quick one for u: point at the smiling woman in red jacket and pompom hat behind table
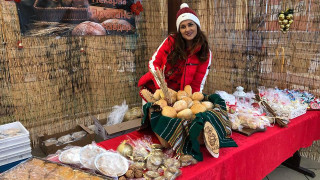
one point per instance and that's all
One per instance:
(184, 56)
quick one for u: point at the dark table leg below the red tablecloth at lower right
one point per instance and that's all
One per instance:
(294, 164)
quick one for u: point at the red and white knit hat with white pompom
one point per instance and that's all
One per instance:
(185, 13)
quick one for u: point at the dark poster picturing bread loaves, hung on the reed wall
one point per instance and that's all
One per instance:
(78, 17)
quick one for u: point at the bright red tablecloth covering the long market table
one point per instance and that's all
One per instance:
(256, 156)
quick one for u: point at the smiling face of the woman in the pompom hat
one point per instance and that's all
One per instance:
(188, 29)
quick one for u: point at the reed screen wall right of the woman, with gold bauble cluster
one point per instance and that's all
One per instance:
(245, 38)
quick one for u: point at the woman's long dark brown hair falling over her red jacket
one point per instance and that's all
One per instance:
(180, 45)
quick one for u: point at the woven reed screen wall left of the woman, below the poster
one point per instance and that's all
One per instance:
(50, 85)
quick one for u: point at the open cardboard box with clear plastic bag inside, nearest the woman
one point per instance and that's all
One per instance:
(108, 132)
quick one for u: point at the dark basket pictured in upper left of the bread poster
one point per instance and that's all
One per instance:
(61, 14)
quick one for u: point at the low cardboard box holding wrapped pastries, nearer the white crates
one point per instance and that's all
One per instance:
(52, 148)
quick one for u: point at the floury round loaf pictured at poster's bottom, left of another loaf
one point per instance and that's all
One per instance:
(88, 28)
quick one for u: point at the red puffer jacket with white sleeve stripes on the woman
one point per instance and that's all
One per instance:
(194, 72)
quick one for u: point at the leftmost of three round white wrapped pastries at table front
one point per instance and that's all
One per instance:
(70, 156)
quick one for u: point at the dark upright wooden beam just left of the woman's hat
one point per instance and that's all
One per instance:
(173, 8)
